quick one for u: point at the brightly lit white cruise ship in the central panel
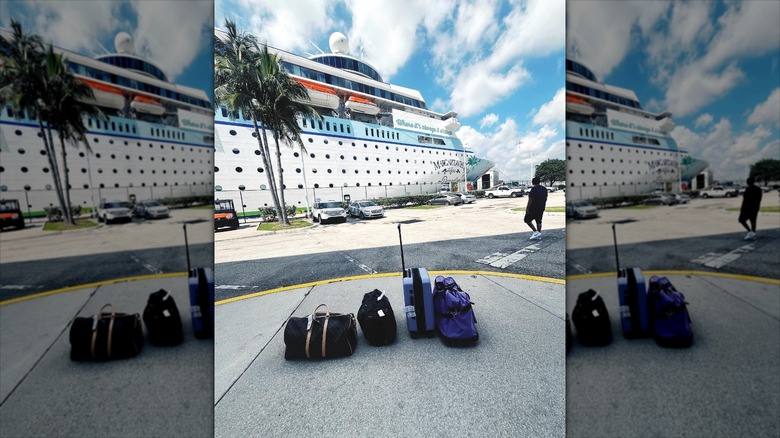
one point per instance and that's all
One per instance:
(375, 140)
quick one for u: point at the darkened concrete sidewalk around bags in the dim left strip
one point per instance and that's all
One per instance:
(164, 391)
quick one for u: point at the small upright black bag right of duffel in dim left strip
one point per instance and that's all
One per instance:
(162, 319)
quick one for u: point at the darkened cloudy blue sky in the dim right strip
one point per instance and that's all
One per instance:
(714, 65)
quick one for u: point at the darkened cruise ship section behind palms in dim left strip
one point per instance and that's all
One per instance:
(156, 141)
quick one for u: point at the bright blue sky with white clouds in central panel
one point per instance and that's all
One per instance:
(498, 64)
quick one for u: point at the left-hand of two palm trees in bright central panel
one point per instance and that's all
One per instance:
(237, 86)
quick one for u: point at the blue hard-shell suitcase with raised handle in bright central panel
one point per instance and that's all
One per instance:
(418, 298)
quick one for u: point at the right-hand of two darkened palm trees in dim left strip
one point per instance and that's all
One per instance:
(65, 110)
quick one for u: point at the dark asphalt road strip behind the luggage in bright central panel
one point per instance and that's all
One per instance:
(511, 253)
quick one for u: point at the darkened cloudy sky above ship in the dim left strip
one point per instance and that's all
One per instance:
(184, 49)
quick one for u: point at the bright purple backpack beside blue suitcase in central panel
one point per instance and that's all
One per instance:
(454, 313)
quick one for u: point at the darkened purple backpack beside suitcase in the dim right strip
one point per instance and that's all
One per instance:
(671, 323)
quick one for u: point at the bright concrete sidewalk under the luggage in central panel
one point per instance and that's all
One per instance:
(512, 383)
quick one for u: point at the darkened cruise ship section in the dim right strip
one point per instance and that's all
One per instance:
(614, 147)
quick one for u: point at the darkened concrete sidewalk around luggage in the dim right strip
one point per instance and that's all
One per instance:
(726, 384)
